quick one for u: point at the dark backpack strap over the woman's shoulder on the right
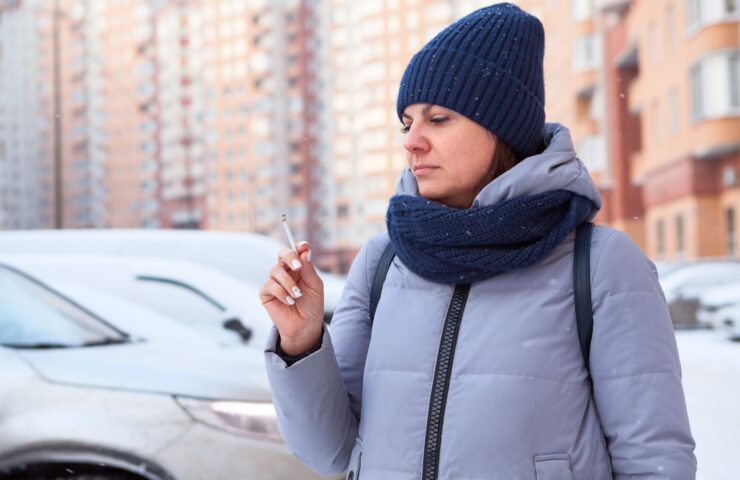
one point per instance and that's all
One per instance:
(582, 287)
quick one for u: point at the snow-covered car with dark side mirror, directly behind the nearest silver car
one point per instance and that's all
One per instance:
(200, 297)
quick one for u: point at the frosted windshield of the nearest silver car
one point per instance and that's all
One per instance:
(33, 316)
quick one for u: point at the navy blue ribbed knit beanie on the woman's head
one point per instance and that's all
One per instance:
(486, 66)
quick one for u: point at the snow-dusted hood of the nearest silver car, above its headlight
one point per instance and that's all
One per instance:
(152, 367)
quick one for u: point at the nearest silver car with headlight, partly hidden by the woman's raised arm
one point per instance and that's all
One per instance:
(96, 387)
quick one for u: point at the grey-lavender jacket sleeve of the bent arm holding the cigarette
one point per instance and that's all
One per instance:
(318, 398)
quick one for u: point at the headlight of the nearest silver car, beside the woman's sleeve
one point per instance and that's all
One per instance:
(253, 419)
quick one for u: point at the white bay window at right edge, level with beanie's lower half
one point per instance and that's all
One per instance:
(715, 85)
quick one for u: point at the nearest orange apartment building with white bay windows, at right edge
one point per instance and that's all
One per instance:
(687, 94)
